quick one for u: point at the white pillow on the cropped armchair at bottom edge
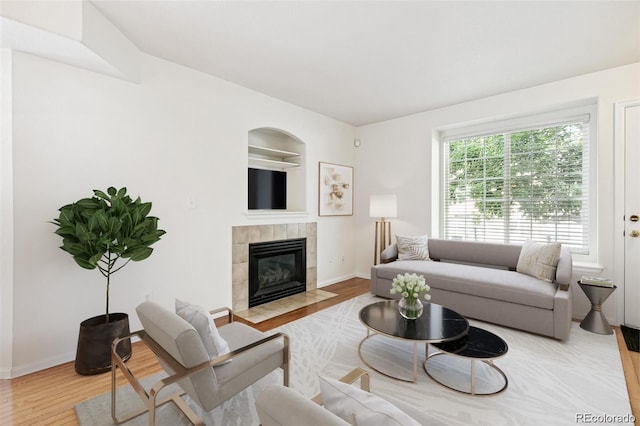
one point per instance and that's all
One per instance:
(360, 408)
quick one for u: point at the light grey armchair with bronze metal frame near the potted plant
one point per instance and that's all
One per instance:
(180, 350)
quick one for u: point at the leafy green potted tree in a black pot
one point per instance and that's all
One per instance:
(105, 232)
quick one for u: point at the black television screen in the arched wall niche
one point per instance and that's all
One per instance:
(267, 189)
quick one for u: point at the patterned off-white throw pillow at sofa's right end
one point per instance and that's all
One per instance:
(539, 260)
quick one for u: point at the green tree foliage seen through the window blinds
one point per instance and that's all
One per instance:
(535, 173)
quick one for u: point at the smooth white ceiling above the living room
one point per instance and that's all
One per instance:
(362, 61)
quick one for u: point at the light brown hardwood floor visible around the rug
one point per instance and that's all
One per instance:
(48, 396)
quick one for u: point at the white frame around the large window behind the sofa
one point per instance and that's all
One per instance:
(548, 118)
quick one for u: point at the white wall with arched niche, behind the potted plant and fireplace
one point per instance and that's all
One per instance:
(178, 133)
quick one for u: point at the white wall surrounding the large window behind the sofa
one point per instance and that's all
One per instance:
(397, 156)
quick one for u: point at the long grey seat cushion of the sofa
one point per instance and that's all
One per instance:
(499, 284)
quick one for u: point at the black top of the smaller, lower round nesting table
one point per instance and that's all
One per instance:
(478, 343)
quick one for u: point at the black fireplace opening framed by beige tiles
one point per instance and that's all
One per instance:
(277, 269)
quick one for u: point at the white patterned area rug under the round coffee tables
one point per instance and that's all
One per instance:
(550, 382)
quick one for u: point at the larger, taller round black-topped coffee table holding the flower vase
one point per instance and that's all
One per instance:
(436, 324)
